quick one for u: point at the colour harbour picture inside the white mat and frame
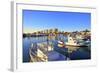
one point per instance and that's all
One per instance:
(56, 36)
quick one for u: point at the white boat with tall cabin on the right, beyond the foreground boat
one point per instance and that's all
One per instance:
(76, 42)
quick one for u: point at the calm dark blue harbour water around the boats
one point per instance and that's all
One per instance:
(73, 53)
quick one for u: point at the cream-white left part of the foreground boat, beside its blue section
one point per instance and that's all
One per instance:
(38, 52)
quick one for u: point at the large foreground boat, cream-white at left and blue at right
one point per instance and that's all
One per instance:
(42, 52)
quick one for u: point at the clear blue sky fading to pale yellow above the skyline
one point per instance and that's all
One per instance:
(35, 20)
